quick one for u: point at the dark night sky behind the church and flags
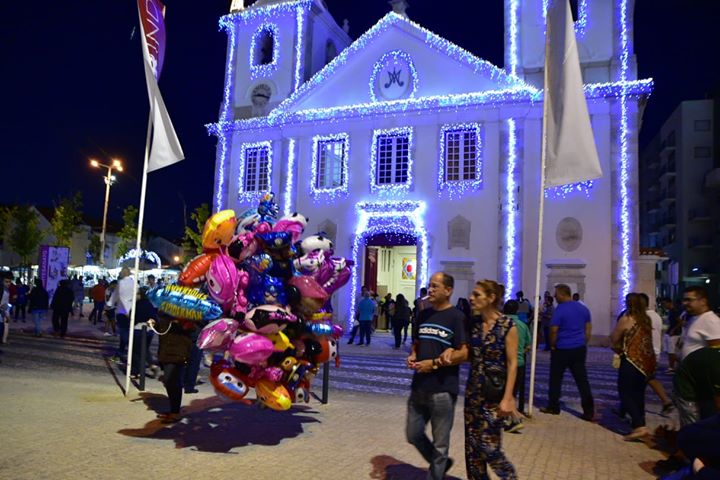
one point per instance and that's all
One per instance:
(73, 88)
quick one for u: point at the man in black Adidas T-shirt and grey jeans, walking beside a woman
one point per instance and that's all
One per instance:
(434, 388)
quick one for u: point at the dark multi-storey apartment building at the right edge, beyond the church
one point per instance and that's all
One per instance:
(679, 199)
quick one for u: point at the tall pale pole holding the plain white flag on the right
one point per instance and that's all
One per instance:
(538, 266)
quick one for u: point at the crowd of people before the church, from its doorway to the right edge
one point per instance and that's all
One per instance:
(494, 338)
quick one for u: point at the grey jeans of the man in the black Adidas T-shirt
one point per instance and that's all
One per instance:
(439, 410)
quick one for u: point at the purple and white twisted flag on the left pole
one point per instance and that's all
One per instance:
(166, 148)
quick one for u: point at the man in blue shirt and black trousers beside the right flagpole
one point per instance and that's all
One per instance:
(570, 330)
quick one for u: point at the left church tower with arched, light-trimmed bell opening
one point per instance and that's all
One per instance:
(273, 48)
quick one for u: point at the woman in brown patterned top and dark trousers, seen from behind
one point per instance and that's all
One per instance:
(632, 340)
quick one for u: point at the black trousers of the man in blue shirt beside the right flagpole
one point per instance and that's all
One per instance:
(574, 359)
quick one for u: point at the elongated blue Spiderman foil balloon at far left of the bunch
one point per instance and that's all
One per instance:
(184, 303)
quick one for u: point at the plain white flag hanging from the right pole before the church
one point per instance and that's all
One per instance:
(571, 155)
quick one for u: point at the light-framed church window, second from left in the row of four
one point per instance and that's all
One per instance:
(330, 155)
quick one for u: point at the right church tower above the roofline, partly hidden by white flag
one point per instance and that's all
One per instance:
(600, 27)
